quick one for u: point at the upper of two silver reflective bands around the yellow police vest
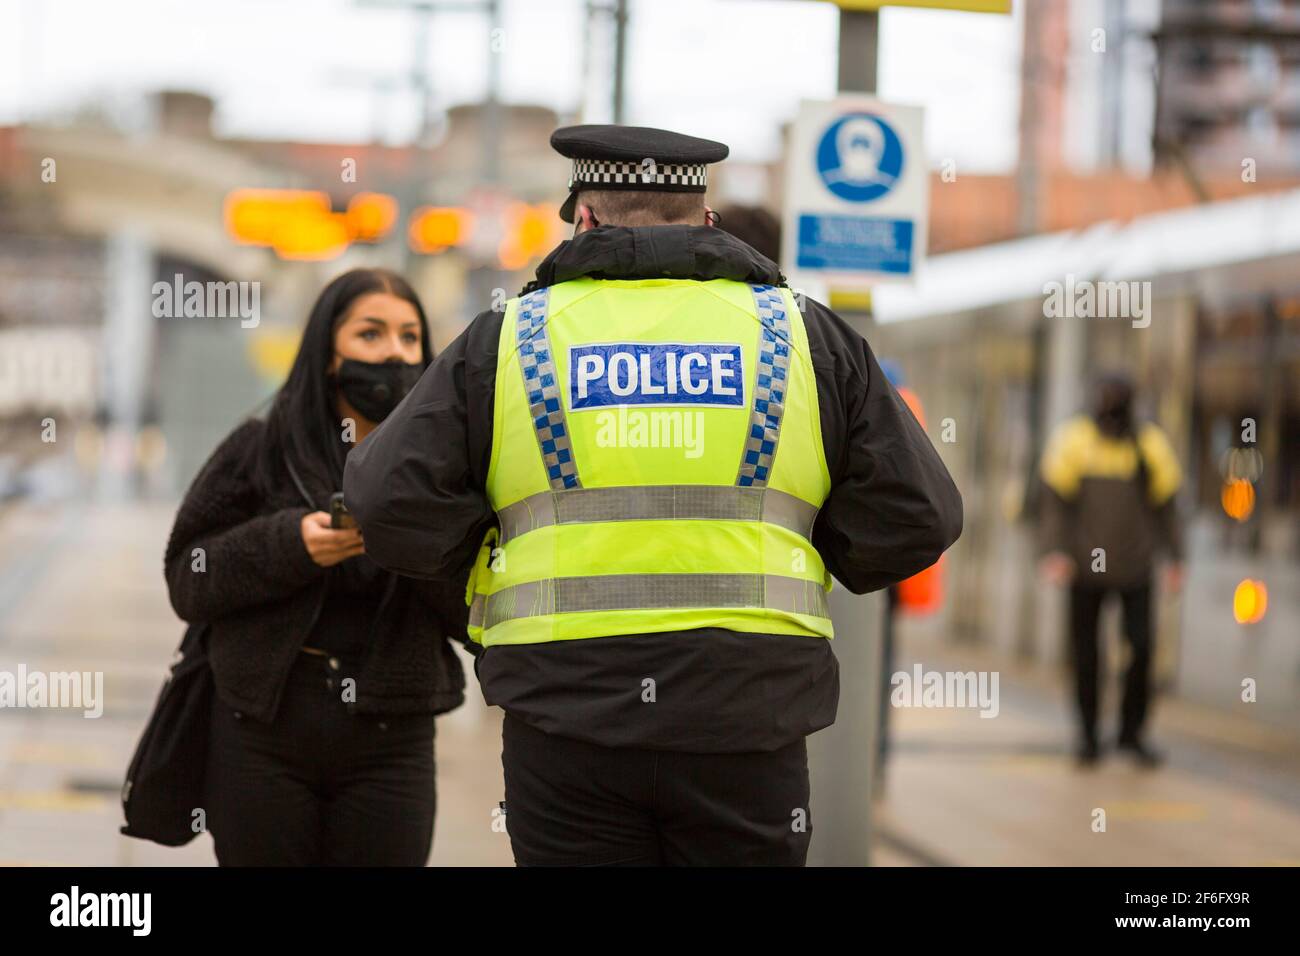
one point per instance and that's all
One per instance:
(657, 503)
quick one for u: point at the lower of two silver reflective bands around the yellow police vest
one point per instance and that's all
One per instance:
(656, 592)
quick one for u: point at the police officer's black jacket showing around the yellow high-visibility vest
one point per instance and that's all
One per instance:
(417, 487)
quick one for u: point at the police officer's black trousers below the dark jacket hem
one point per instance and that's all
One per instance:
(577, 804)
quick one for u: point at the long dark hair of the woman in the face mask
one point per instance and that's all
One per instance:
(304, 425)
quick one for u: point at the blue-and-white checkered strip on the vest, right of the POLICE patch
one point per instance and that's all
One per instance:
(770, 384)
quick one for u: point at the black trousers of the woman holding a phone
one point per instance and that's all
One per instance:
(320, 786)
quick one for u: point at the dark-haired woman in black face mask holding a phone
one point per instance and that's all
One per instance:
(328, 671)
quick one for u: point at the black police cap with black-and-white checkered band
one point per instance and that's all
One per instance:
(636, 158)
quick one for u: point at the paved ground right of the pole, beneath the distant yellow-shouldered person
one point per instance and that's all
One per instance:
(964, 790)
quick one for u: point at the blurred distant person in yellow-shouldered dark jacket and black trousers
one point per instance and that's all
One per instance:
(1108, 512)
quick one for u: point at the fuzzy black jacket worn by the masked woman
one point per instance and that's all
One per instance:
(262, 594)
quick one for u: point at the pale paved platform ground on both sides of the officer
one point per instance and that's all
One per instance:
(81, 589)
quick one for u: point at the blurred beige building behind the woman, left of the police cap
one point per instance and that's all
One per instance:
(96, 213)
